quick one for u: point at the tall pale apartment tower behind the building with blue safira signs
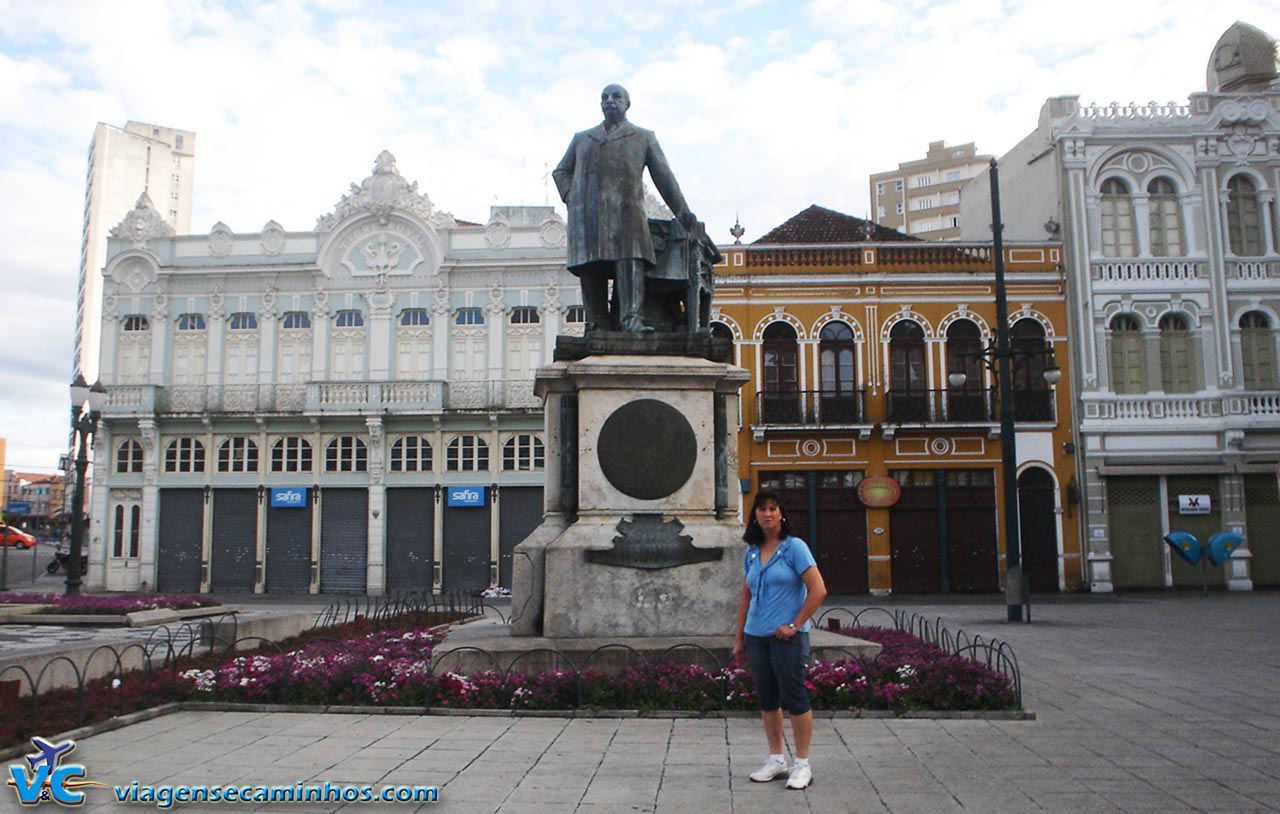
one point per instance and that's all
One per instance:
(125, 164)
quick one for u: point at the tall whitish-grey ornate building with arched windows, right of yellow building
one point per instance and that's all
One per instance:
(1168, 217)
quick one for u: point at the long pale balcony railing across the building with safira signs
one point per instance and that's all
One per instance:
(322, 397)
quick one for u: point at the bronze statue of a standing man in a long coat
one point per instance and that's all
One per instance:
(602, 181)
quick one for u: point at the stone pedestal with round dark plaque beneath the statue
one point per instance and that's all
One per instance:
(642, 536)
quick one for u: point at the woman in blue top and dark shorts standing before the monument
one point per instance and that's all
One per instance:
(781, 589)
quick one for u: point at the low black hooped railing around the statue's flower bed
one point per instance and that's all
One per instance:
(103, 687)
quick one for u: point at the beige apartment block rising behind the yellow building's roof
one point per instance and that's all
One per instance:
(922, 198)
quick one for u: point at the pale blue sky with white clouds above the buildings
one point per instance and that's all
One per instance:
(764, 108)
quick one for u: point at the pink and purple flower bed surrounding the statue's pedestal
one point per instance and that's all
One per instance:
(392, 669)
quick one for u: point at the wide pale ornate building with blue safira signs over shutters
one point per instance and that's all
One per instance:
(344, 410)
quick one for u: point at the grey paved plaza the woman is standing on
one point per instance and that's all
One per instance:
(1145, 703)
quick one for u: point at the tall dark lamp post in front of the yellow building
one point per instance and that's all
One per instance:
(1004, 362)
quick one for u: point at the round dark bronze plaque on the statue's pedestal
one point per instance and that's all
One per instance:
(647, 450)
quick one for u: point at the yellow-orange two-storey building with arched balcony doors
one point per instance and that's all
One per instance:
(851, 333)
